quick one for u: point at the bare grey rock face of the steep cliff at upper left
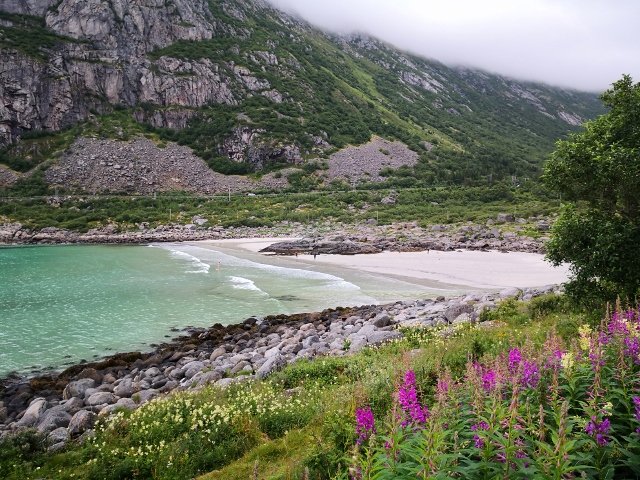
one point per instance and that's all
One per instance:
(108, 60)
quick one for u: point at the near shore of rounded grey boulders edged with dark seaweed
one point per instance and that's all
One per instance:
(64, 406)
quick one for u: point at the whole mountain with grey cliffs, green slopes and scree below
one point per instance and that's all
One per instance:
(249, 88)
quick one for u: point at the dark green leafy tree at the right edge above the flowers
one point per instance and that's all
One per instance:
(598, 172)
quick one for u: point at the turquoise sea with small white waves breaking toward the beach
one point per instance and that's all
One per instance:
(63, 304)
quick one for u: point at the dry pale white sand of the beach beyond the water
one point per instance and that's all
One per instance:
(484, 270)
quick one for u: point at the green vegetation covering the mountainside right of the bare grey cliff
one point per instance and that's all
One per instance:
(344, 99)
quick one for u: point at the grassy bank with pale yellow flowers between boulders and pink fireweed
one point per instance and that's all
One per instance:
(280, 433)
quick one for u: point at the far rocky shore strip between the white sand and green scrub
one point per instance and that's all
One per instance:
(504, 234)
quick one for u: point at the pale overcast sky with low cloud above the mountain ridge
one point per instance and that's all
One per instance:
(583, 44)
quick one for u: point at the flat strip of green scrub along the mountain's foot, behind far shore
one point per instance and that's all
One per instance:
(428, 206)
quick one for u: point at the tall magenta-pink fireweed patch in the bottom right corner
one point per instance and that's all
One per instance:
(543, 411)
